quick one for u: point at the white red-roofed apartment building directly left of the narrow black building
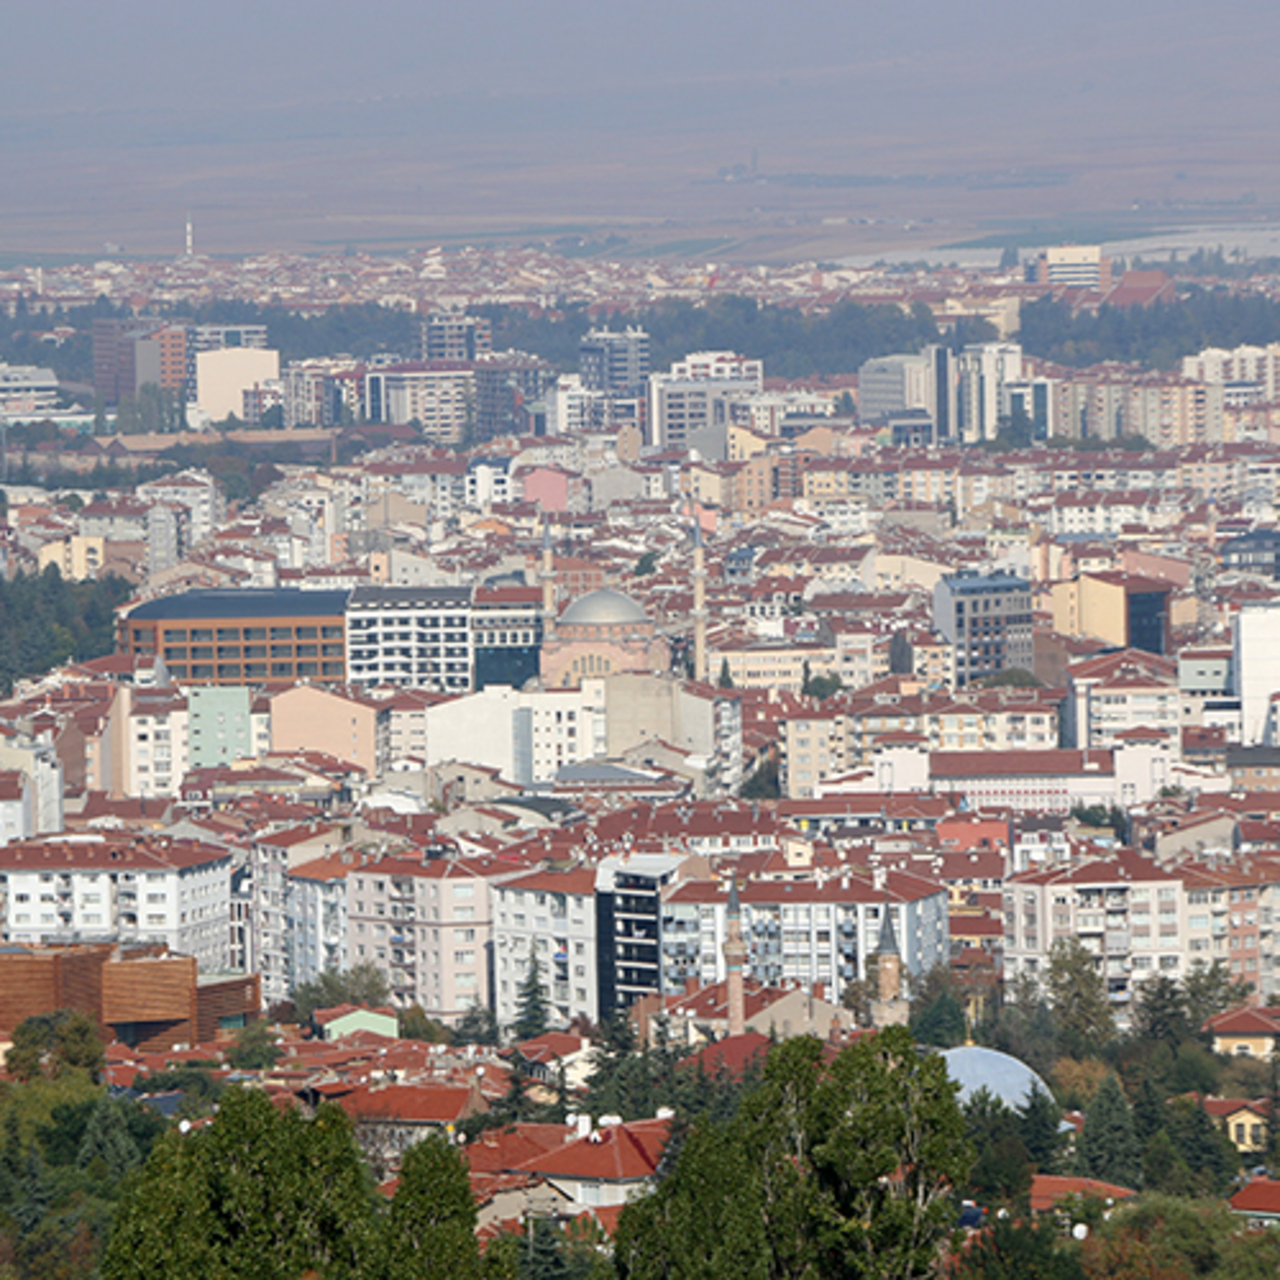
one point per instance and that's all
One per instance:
(550, 916)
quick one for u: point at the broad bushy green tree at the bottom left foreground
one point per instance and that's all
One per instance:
(257, 1195)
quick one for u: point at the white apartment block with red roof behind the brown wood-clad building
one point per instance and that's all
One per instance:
(97, 888)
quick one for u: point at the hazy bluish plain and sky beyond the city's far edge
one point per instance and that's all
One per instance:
(824, 131)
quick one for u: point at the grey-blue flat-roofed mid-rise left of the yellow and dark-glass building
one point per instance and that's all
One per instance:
(988, 618)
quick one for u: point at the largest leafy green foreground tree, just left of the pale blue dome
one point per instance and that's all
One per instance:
(828, 1171)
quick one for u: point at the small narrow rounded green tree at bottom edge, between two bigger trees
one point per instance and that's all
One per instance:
(432, 1226)
